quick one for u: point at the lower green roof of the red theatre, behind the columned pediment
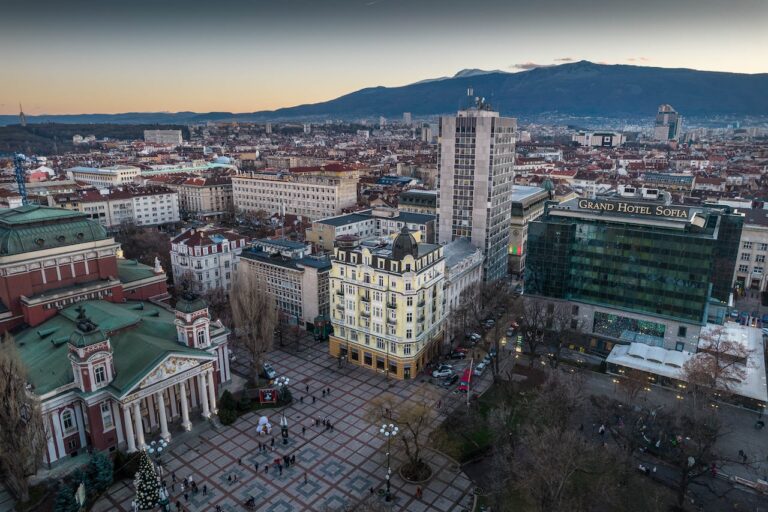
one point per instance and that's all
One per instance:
(142, 335)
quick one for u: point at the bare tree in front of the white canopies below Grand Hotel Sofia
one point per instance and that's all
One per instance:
(718, 366)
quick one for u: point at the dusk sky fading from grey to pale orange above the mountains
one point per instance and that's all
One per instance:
(109, 56)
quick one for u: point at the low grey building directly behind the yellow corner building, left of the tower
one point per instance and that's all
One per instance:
(373, 223)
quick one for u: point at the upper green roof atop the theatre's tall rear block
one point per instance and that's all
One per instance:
(35, 228)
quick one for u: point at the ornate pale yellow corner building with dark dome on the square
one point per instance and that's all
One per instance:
(387, 304)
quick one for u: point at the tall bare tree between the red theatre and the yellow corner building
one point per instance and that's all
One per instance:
(254, 313)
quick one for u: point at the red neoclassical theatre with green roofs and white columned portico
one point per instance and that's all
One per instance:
(113, 365)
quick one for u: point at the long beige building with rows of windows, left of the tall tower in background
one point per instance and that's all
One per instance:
(315, 194)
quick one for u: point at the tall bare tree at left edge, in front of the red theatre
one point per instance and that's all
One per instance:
(22, 434)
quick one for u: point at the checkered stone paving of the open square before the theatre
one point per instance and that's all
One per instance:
(334, 470)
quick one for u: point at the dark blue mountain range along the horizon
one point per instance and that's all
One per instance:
(578, 90)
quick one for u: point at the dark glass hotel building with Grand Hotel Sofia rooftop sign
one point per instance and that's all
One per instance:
(635, 270)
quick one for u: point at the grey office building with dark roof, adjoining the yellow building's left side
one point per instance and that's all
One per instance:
(298, 281)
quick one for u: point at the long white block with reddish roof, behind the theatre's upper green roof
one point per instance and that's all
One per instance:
(142, 206)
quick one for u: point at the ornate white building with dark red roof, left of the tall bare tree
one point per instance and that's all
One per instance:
(210, 255)
